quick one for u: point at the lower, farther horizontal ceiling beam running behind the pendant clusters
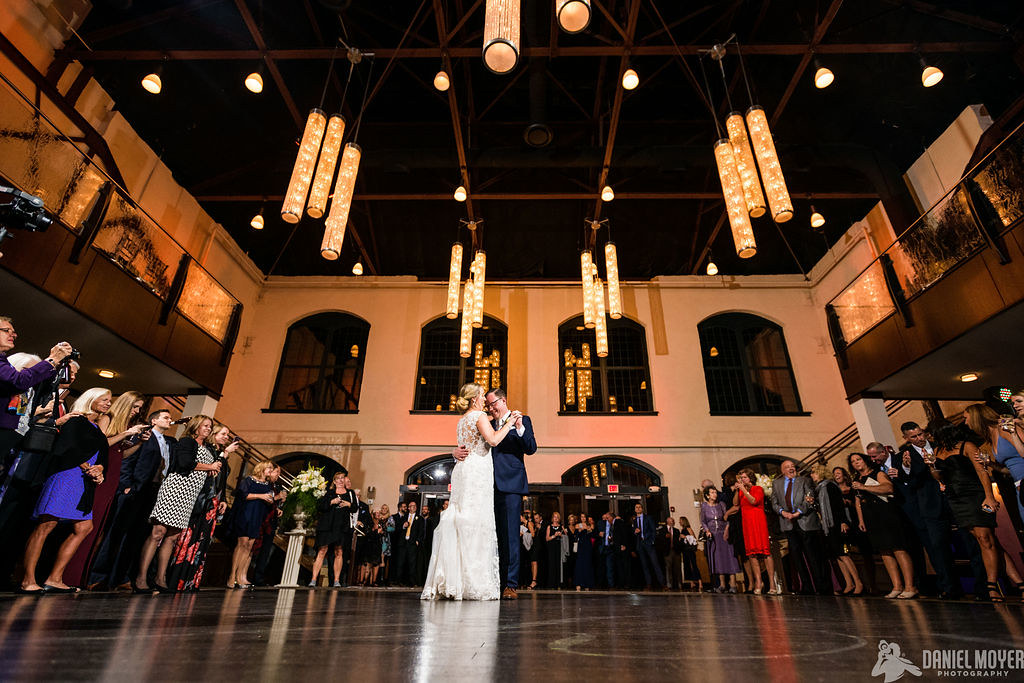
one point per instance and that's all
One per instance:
(442, 197)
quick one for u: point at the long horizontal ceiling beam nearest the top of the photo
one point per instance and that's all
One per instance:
(781, 50)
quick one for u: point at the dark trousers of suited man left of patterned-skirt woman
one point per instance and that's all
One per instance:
(130, 527)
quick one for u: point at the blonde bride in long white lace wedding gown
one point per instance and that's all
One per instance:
(464, 558)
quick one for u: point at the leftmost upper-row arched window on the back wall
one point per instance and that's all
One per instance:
(322, 365)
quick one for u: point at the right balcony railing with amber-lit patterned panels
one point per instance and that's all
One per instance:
(973, 216)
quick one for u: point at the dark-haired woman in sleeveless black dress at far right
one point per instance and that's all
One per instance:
(958, 464)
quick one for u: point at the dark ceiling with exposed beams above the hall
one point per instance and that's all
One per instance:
(841, 146)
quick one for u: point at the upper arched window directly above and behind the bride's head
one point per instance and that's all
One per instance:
(443, 371)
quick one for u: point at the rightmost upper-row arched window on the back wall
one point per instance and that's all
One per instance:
(747, 367)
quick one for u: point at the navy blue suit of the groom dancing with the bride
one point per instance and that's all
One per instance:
(510, 487)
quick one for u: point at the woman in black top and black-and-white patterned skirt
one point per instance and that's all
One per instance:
(191, 464)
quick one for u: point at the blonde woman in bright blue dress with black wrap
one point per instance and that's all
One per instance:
(79, 457)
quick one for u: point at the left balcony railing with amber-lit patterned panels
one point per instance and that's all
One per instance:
(38, 158)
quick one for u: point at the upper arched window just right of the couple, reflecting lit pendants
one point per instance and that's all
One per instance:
(617, 383)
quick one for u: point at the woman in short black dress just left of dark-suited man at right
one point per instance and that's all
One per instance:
(878, 518)
